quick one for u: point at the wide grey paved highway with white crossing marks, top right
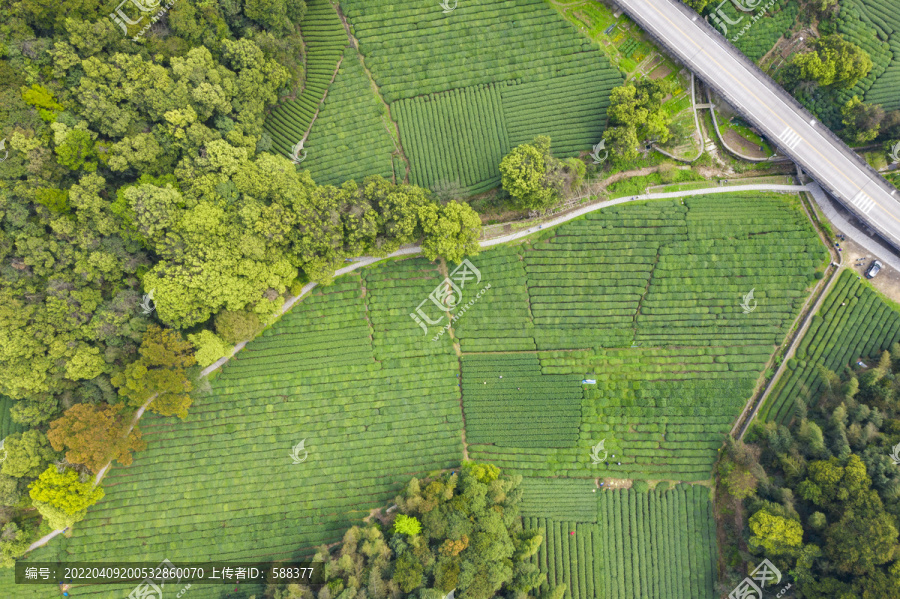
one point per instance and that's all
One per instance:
(836, 167)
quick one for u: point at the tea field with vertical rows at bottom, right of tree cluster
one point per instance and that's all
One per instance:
(658, 545)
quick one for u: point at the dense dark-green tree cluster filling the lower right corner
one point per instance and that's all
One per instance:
(821, 495)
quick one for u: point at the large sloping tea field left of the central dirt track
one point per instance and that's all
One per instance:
(222, 483)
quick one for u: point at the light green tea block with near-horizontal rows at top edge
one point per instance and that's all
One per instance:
(418, 49)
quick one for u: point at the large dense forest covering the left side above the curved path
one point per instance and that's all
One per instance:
(145, 228)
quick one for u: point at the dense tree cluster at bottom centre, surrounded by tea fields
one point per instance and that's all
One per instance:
(458, 531)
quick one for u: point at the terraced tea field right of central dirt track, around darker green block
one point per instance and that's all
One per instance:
(646, 300)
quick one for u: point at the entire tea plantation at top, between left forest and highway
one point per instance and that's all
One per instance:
(463, 88)
